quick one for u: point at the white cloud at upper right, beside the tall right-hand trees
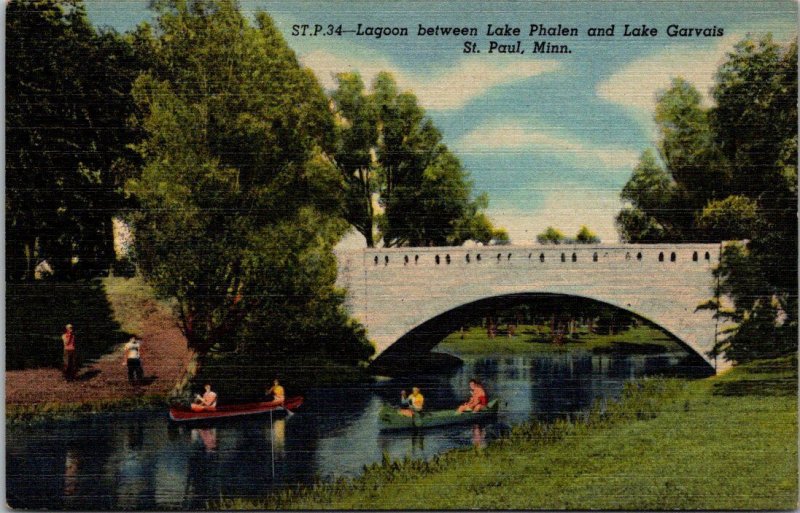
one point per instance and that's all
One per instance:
(636, 85)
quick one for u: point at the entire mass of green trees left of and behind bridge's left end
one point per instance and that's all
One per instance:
(236, 171)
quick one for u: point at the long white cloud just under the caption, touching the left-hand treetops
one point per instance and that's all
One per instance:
(448, 88)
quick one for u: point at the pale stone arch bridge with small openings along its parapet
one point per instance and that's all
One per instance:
(401, 291)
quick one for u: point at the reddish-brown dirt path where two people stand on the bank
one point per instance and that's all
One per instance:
(164, 357)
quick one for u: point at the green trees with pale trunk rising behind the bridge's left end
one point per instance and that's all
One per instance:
(390, 151)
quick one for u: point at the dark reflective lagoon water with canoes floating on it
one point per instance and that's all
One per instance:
(142, 461)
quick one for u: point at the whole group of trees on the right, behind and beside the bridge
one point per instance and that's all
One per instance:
(729, 172)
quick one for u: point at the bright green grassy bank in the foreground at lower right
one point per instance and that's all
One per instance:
(728, 442)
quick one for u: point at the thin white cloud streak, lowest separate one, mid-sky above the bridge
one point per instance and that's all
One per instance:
(515, 138)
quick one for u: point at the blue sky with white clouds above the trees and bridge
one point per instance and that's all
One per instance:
(551, 138)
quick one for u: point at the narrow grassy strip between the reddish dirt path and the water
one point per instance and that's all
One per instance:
(45, 412)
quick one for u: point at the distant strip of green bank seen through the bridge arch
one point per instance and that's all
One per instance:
(532, 339)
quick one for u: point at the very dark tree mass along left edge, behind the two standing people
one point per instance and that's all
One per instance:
(68, 99)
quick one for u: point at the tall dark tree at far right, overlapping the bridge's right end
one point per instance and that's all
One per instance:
(755, 121)
